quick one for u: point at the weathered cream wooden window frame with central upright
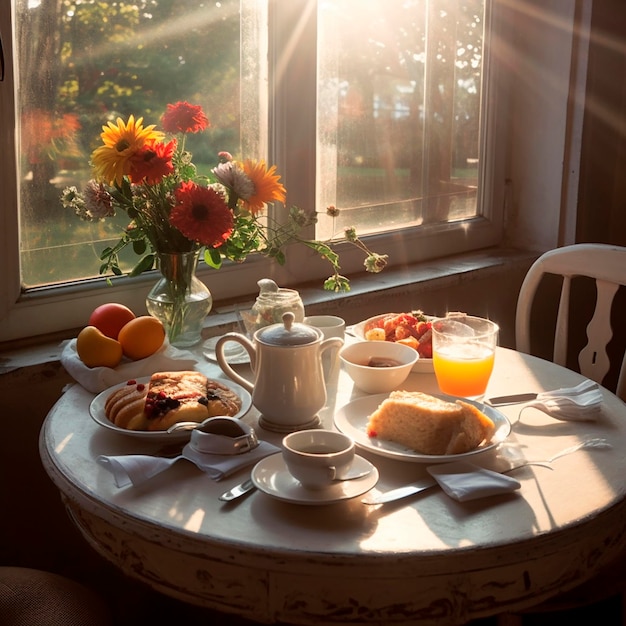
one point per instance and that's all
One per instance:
(291, 118)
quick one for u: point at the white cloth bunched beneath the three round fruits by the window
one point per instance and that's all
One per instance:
(97, 379)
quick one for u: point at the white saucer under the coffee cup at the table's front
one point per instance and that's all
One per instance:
(272, 477)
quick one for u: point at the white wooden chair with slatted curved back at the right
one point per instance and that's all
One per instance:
(602, 262)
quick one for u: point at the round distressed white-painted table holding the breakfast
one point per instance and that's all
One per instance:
(427, 560)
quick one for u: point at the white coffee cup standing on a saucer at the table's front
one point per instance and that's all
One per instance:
(317, 457)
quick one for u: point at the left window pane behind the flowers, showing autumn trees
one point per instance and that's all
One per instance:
(85, 62)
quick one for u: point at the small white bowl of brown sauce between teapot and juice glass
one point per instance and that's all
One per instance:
(372, 379)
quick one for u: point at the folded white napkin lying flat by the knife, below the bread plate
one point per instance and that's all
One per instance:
(465, 481)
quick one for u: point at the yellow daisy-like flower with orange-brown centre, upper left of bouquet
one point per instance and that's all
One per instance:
(112, 160)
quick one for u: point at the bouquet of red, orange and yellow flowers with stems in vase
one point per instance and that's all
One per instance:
(174, 211)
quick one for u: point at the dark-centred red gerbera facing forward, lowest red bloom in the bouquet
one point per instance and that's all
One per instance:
(202, 215)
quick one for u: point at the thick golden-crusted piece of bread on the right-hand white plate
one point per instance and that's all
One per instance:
(430, 425)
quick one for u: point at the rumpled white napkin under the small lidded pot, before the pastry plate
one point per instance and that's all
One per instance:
(135, 469)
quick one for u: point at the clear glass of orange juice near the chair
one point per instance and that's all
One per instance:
(463, 354)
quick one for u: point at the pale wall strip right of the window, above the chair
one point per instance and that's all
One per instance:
(547, 65)
